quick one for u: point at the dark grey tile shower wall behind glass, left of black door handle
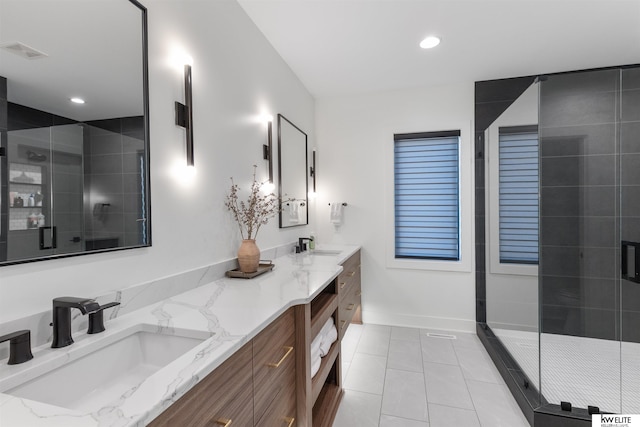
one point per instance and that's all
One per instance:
(579, 239)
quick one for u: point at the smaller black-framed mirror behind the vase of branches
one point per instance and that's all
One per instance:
(292, 174)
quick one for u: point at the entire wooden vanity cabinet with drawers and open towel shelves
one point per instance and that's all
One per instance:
(268, 383)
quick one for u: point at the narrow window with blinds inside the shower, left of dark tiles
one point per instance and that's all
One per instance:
(518, 194)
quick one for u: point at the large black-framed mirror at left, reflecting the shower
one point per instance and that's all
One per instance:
(74, 125)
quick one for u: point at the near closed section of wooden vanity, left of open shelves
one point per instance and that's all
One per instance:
(254, 387)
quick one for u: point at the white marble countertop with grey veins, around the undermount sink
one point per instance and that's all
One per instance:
(232, 311)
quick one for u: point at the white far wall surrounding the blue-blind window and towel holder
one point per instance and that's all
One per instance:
(355, 165)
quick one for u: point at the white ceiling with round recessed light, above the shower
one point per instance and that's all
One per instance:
(340, 47)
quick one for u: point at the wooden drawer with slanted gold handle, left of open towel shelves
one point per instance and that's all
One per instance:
(273, 363)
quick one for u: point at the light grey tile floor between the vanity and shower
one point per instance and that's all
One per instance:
(404, 377)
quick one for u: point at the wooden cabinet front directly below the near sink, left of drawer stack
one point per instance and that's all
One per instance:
(225, 394)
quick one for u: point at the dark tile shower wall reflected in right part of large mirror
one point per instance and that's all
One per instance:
(112, 171)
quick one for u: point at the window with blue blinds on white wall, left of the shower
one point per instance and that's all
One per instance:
(427, 197)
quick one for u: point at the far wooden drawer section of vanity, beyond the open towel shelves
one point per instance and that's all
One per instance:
(349, 292)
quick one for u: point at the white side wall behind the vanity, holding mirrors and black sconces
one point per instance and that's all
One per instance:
(236, 76)
